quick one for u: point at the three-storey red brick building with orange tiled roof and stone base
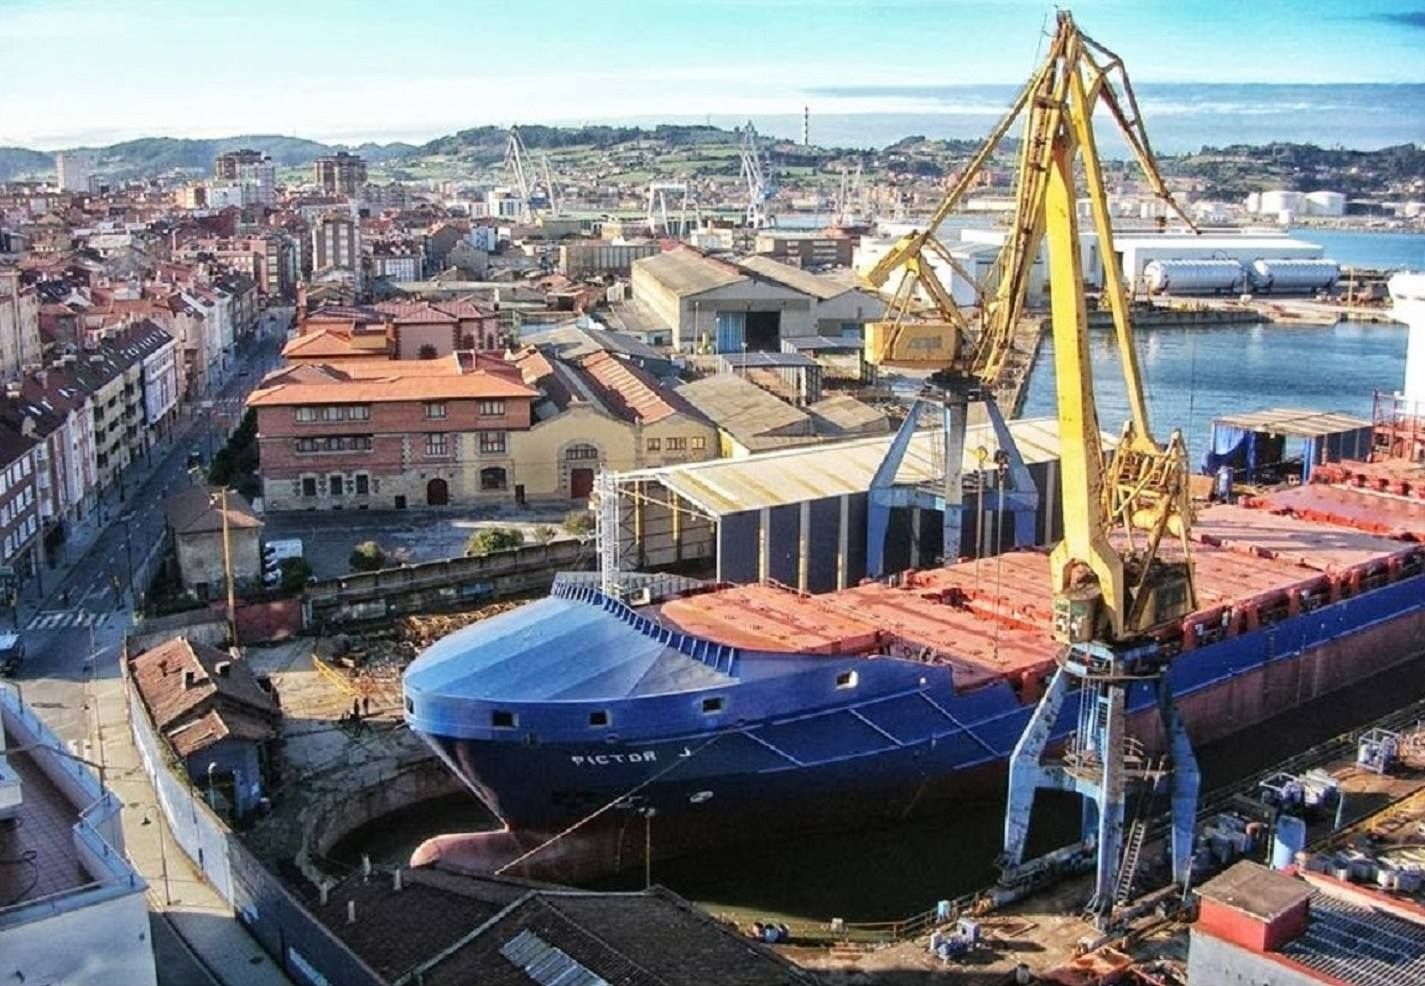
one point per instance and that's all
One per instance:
(390, 434)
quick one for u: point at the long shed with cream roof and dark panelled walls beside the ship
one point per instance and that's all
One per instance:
(799, 517)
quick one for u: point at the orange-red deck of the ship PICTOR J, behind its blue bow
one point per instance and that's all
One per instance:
(990, 619)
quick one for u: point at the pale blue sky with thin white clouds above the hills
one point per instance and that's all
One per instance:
(102, 71)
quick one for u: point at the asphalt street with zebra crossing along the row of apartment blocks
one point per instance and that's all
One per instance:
(75, 629)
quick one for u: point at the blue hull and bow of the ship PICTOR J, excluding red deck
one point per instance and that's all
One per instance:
(558, 710)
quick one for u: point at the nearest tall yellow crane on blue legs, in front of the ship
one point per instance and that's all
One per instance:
(1115, 582)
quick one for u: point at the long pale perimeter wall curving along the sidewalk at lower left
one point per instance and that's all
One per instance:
(279, 920)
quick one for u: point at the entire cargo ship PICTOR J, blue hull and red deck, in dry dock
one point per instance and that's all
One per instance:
(747, 712)
